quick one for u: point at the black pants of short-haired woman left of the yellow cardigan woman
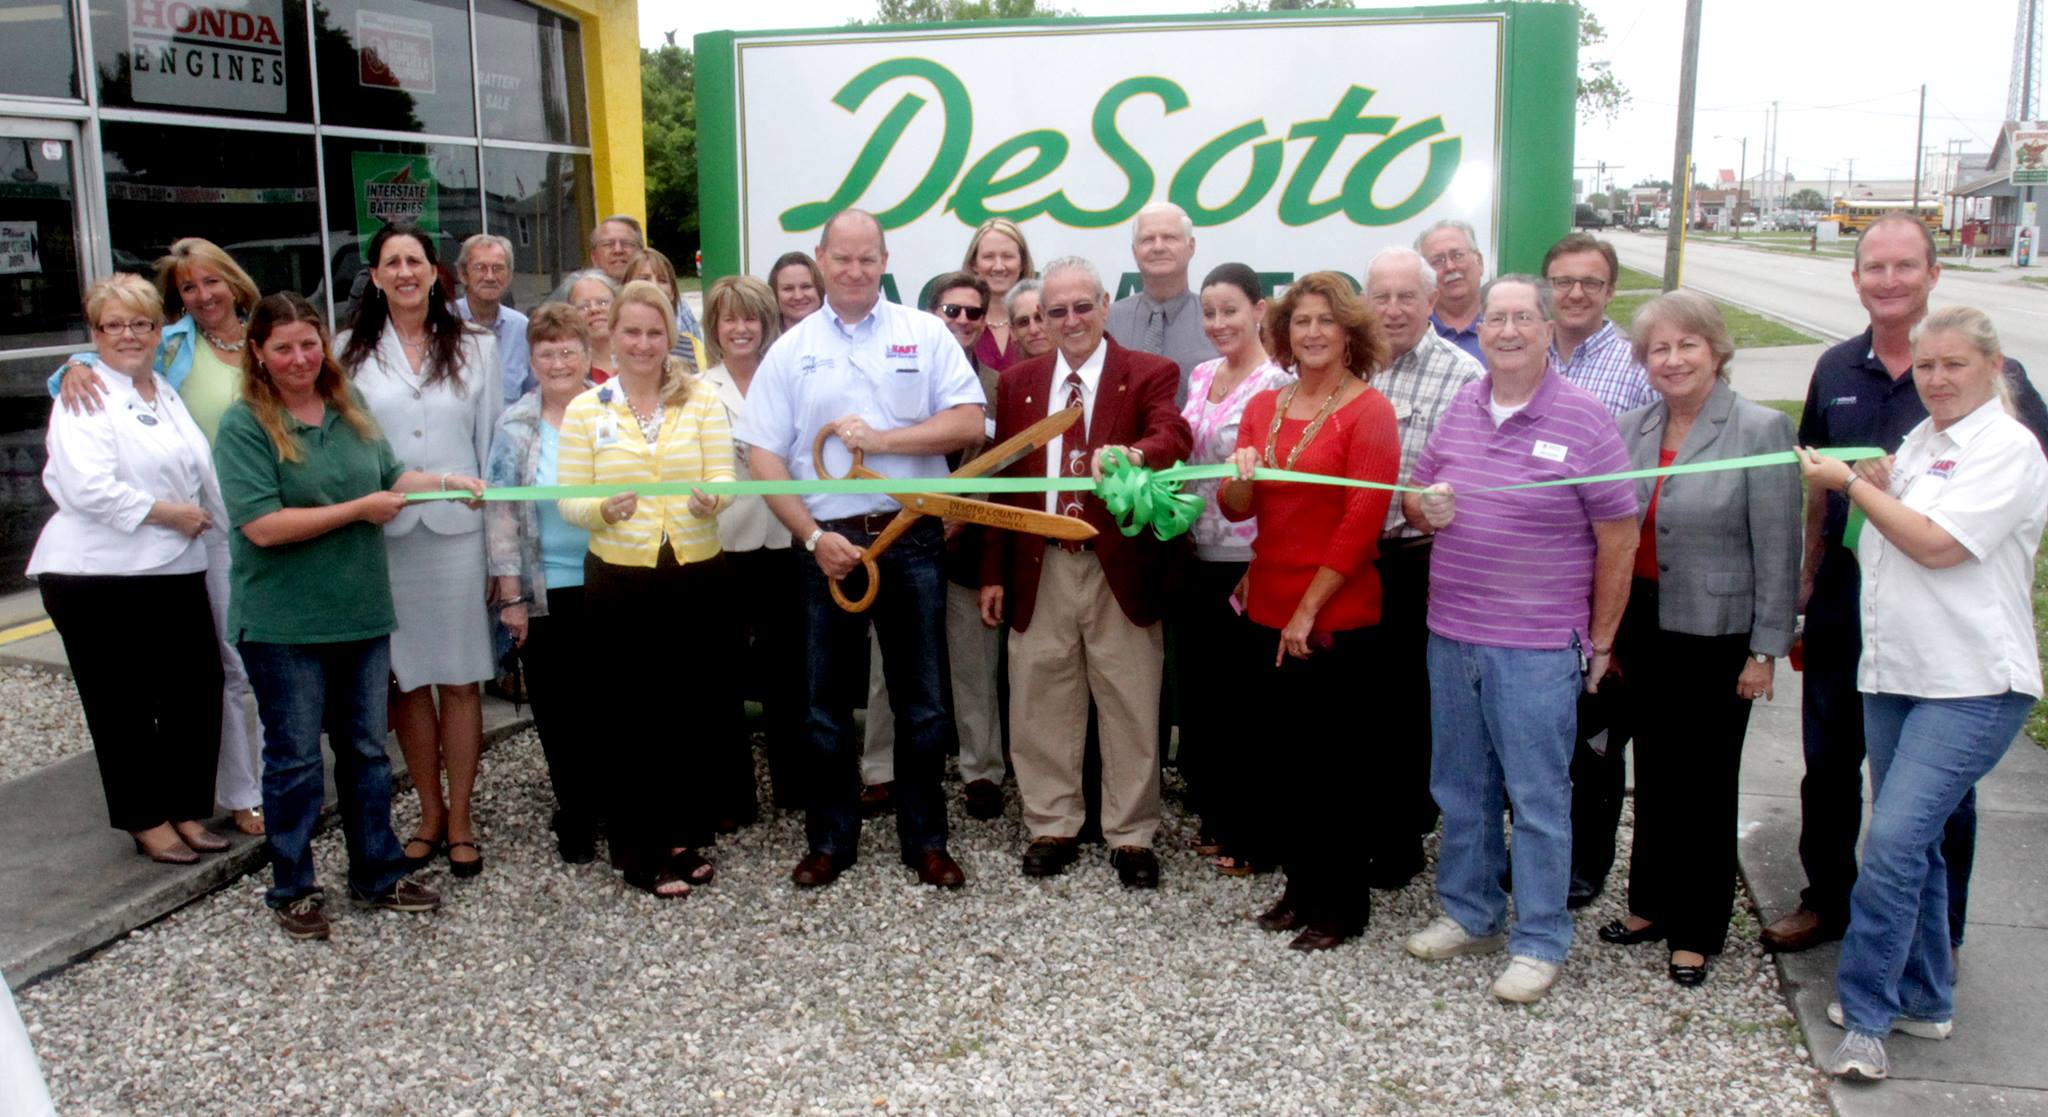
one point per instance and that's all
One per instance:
(562, 673)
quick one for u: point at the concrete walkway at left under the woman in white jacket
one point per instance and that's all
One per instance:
(69, 884)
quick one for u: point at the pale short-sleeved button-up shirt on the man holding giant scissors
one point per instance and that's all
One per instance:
(896, 368)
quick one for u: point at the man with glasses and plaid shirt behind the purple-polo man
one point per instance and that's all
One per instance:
(1594, 354)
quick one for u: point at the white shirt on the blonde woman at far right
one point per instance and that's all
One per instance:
(1969, 630)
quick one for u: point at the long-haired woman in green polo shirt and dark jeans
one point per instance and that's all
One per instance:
(308, 485)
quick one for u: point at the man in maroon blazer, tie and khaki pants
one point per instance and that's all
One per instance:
(1084, 618)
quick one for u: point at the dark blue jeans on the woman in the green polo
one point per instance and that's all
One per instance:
(300, 692)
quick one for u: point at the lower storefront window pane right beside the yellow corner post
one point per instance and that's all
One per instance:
(542, 204)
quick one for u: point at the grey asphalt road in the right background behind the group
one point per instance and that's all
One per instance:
(1818, 294)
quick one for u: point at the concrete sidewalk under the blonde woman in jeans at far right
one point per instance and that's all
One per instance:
(1994, 1065)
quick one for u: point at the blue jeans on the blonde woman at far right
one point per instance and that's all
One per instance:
(1926, 755)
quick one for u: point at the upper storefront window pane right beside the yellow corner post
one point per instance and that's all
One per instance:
(529, 75)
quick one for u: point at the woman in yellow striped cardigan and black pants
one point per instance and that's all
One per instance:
(654, 591)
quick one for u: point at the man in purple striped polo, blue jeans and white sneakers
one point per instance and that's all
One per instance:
(1525, 595)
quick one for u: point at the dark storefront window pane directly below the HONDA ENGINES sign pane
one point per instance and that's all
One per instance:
(247, 192)
